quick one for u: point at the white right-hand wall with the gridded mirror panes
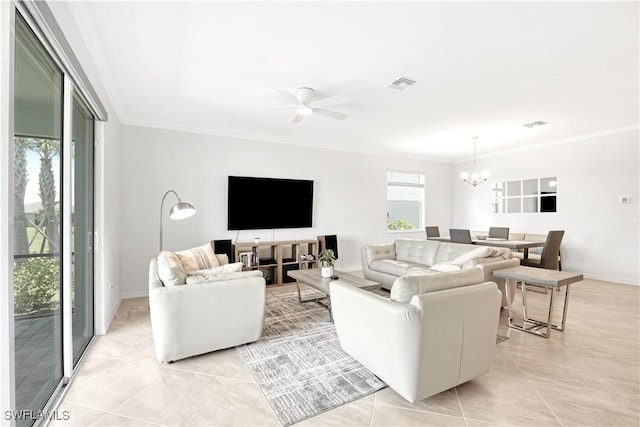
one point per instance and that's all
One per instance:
(601, 234)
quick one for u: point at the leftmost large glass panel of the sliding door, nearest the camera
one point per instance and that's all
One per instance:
(37, 261)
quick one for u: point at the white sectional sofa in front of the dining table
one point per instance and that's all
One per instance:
(385, 263)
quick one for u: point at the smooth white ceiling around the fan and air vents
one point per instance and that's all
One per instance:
(483, 68)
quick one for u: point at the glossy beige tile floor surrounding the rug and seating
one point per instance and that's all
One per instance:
(586, 376)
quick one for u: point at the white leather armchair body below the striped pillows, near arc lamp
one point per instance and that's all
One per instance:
(187, 320)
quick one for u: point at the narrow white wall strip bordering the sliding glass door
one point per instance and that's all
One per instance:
(107, 292)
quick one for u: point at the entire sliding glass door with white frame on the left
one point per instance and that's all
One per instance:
(54, 235)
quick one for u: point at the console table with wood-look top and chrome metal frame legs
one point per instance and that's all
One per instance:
(551, 279)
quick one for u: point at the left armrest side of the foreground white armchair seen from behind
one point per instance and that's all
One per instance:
(381, 334)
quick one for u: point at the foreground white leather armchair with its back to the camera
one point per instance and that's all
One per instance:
(442, 336)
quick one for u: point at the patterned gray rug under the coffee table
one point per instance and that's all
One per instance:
(298, 362)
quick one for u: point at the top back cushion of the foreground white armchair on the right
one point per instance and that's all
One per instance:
(404, 288)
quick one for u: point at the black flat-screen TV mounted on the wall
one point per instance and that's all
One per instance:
(265, 203)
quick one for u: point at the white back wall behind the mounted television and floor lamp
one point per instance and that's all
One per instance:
(349, 194)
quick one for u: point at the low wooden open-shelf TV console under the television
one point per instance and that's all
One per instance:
(275, 258)
